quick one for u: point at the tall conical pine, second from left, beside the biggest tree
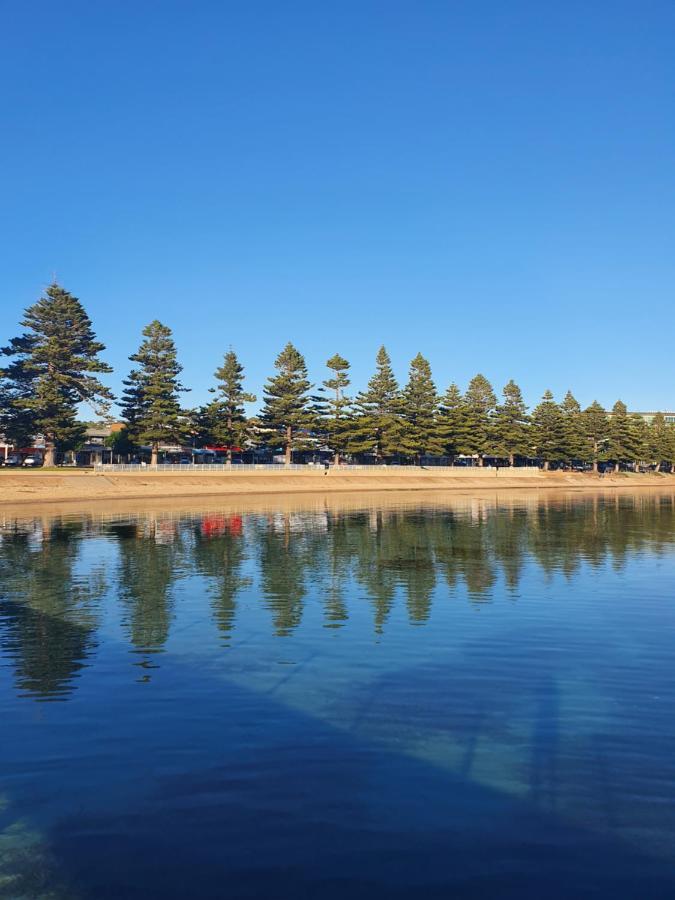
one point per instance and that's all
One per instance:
(150, 404)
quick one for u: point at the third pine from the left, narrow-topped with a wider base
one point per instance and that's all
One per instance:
(224, 419)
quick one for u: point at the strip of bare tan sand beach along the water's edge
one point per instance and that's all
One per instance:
(40, 488)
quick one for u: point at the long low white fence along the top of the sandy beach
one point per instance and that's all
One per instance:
(309, 469)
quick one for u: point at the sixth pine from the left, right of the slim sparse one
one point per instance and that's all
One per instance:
(377, 426)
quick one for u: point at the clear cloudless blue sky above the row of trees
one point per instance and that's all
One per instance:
(490, 183)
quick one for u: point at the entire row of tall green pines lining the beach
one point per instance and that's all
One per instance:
(55, 364)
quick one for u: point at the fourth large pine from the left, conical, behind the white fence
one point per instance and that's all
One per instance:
(286, 401)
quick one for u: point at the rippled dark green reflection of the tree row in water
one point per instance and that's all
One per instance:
(423, 554)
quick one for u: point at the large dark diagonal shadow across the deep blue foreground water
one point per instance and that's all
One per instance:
(321, 813)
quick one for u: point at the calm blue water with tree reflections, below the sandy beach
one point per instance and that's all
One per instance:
(472, 701)
